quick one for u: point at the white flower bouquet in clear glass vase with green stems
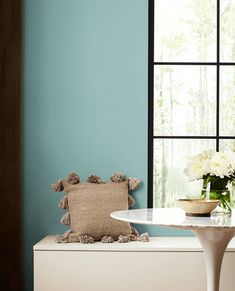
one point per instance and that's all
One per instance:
(217, 171)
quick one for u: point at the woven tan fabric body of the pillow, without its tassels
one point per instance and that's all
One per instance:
(90, 206)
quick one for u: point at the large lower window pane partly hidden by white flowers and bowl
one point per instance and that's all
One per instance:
(169, 180)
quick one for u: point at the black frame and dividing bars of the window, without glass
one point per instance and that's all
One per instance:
(151, 64)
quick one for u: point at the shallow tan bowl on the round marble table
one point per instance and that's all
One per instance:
(197, 207)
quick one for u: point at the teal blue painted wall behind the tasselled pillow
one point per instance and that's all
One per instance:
(85, 102)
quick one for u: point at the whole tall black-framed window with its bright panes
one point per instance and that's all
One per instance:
(191, 90)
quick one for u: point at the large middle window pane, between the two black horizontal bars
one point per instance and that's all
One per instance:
(184, 100)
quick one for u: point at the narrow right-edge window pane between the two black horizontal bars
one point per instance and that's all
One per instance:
(227, 101)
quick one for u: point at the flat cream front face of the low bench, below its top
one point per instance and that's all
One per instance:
(115, 271)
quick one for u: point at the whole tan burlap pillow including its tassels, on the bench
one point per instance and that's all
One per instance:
(89, 205)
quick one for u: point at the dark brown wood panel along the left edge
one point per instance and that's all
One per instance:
(10, 142)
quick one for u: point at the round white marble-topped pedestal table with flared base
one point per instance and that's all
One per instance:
(214, 233)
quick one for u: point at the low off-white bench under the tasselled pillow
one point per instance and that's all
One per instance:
(163, 264)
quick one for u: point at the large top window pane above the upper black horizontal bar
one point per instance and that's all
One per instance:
(185, 30)
